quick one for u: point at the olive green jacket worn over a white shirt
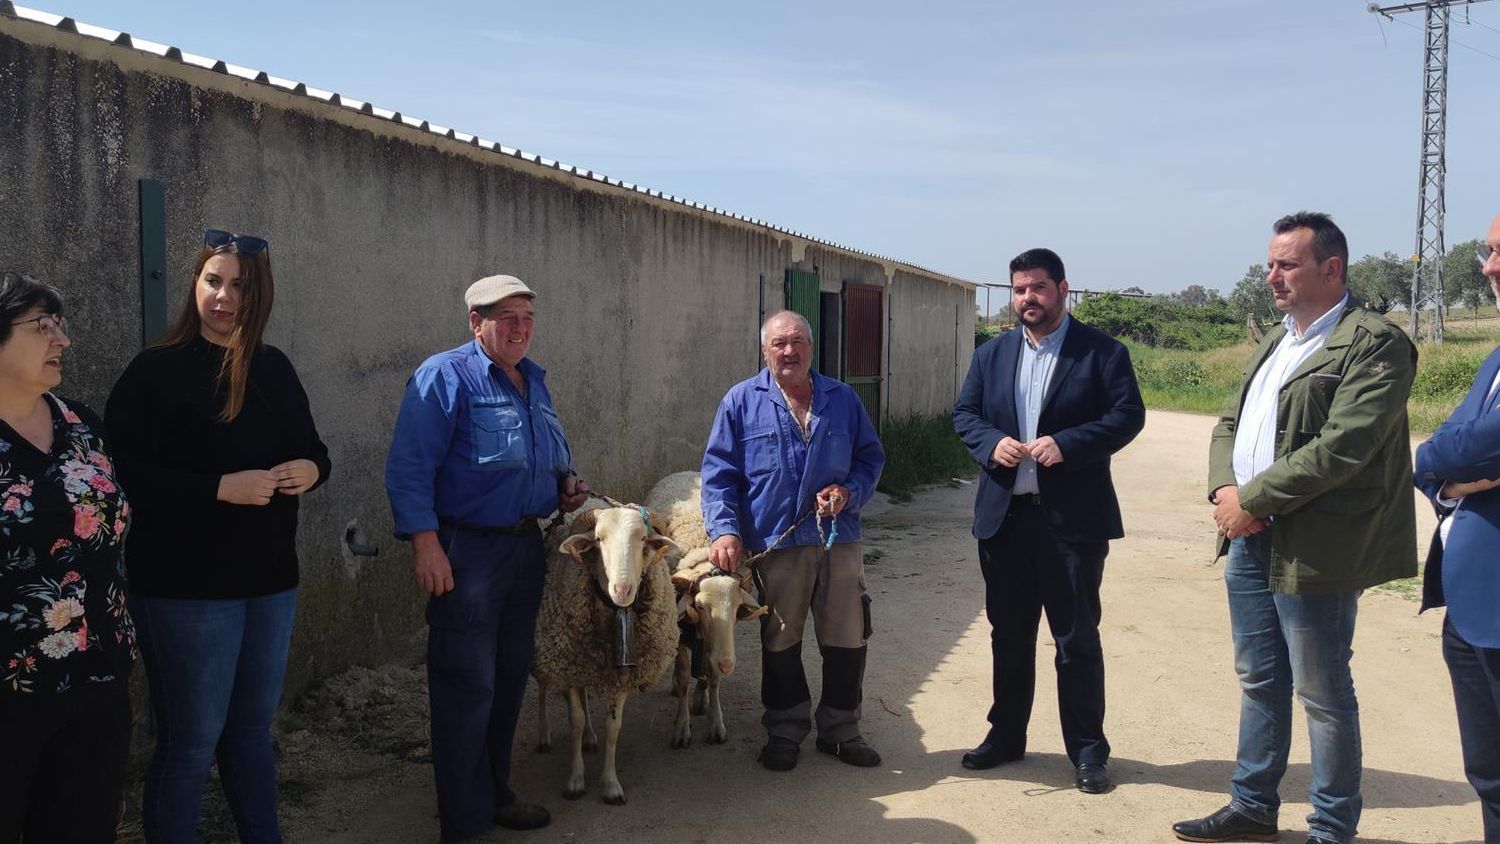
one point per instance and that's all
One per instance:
(1339, 494)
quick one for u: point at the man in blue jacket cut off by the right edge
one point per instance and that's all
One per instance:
(1459, 468)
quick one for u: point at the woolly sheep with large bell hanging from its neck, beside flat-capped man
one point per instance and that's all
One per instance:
(608, 555)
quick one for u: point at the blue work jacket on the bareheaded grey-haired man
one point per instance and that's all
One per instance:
(760, 476)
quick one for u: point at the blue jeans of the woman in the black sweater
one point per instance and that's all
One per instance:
(215, 669)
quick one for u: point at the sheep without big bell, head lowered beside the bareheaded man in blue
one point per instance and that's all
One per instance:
(709, 608)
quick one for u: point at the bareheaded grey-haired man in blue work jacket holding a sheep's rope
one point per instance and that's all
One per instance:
(784, 444)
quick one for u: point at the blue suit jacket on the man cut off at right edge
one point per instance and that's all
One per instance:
(1466, 575)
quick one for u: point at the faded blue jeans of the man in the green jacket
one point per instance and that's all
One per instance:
(1283, 644)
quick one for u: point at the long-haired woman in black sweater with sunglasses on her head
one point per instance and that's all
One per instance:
(215, 443)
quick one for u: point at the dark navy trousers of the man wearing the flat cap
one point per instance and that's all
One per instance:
(479, 659)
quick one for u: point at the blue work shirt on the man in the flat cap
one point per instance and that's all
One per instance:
(470, 449)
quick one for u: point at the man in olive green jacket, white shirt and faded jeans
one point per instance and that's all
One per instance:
(1309, 473)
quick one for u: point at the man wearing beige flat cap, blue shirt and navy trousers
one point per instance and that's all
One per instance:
(478, 458)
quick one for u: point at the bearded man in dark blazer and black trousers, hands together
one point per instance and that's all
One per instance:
(1043, 410)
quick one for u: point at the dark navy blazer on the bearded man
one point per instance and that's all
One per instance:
(1093, 410)
